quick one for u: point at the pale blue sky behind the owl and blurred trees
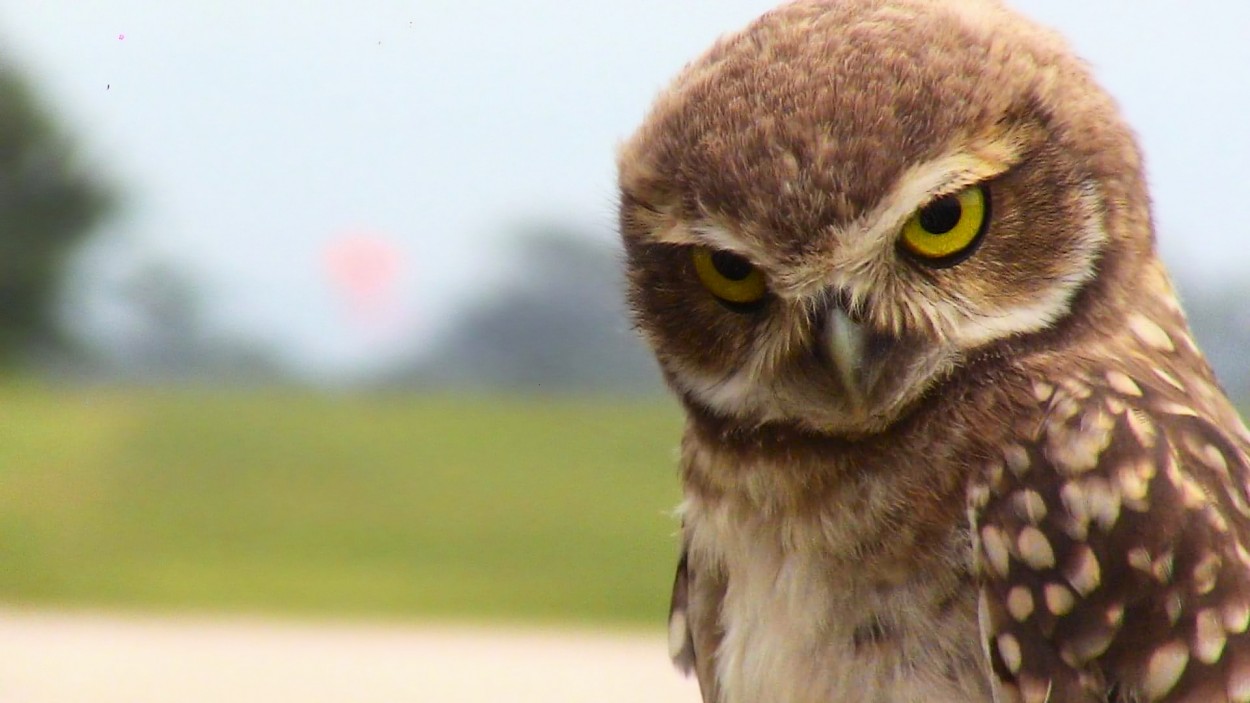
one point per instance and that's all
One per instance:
(253, 142)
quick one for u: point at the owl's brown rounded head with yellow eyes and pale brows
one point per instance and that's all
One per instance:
(849, 203)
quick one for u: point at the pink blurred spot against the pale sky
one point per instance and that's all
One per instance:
(364, 268)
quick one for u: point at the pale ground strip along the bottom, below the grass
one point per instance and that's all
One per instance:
(102, 659)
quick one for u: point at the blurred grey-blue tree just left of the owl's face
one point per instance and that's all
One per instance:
(559, 323)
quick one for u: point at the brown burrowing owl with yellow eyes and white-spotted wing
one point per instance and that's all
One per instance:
(949, 438)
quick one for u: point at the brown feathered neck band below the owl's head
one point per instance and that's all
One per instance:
(783, 470)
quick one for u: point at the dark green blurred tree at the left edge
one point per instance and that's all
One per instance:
(48, 206)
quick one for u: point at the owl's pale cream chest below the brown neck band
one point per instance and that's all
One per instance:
(803, 627)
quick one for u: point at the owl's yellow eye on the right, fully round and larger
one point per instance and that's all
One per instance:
(947, 230)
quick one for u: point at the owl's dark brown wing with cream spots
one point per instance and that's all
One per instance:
(1112, 551)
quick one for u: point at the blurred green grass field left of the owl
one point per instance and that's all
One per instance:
(299, 503)
